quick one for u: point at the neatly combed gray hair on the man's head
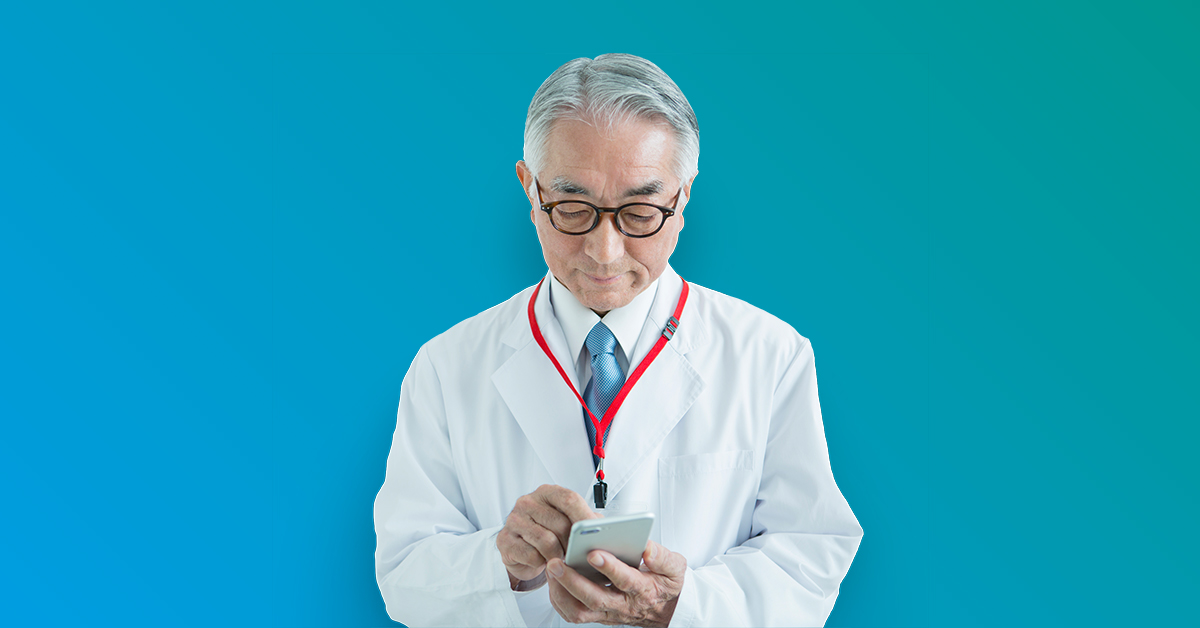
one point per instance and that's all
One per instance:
(607, 92)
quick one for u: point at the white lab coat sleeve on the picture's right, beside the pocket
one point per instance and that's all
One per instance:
(803, 534)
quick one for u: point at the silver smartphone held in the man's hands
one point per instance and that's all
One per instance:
(623, 536)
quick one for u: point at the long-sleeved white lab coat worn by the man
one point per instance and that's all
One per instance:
(722, 440)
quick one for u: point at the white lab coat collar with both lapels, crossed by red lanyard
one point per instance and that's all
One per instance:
(550, 415)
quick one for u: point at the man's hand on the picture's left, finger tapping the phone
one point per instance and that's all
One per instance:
(538, 529)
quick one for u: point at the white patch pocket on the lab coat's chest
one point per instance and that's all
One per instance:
(706, 501)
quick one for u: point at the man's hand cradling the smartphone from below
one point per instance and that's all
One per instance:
(638, 597)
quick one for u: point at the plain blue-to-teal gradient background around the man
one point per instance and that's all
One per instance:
(224, 237)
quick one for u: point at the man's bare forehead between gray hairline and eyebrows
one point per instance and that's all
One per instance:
(629, 153)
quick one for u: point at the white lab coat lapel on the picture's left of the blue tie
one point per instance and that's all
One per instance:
(543, 405)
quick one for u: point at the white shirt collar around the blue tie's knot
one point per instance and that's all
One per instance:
(578, 320)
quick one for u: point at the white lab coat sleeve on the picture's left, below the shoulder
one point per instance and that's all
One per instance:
(434, 566)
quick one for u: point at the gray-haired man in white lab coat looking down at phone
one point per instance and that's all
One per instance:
(722, 436)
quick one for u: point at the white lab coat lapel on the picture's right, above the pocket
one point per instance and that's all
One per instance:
(668, 388)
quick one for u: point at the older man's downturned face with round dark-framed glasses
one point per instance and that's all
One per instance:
(605, 270)
